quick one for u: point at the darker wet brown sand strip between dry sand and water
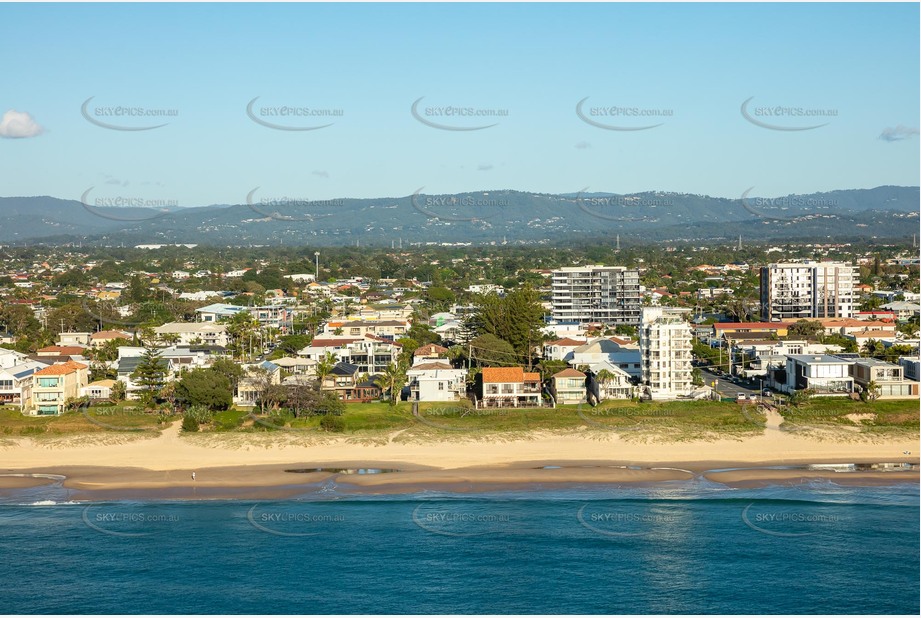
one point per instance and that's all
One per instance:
(277, 482)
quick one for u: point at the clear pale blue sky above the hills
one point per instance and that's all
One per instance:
(693, 98)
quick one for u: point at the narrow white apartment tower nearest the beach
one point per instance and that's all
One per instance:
(665, 348)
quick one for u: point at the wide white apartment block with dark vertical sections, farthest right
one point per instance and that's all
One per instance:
(802, 290)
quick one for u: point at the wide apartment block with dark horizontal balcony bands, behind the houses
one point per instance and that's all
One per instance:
(596, 293)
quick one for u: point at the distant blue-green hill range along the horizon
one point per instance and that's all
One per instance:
(477, 217)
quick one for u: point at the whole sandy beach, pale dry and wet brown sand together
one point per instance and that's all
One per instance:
(274, 466)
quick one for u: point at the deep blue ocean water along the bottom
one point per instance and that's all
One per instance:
(673, 548)
